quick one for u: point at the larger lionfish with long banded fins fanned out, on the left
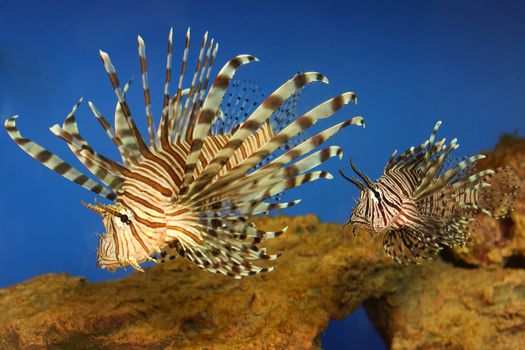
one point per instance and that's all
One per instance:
(205, 170)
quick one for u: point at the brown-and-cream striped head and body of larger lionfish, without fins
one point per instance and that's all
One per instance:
(150, 194)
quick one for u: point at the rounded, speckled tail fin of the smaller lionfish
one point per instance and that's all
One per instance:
(497, 199)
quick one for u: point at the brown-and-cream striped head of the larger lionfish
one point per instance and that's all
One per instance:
(119, 246)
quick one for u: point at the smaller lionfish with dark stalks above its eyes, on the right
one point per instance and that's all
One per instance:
(421, 204)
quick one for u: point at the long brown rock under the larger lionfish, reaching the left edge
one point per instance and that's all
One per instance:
(322, 274)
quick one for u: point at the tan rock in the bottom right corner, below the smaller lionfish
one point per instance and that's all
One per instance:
(440, 306)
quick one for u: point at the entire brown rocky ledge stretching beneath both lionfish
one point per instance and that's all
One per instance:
(467, 300)
